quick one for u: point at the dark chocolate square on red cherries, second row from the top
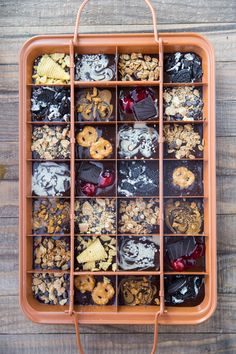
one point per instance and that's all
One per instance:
(145, 109)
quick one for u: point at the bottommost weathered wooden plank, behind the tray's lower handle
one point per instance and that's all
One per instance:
(110, 343)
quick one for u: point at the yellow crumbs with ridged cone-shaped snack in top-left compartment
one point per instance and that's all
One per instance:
(52, 69)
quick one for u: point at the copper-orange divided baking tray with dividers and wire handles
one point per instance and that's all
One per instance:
(116, 44)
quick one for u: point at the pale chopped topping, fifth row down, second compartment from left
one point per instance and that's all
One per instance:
(96, 216)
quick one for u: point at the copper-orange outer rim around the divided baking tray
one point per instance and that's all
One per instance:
(54, 317)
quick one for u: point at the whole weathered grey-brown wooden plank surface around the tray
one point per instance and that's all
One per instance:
(20, 20)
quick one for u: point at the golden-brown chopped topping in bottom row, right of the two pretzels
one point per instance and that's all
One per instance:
(136, 291)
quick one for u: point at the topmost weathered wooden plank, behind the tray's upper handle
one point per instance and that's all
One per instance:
(54, 13)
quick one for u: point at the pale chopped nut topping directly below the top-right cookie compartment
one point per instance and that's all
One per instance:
(182, 103)
